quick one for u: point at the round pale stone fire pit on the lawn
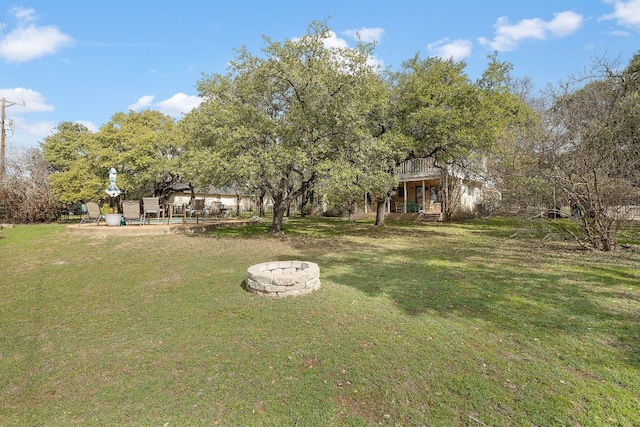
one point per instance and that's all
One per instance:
(283, 278)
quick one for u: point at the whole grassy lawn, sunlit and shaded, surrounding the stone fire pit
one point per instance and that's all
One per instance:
(473, 324)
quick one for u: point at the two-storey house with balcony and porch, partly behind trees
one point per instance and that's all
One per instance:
(422, 189)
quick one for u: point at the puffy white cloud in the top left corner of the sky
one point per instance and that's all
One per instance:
(29, 41)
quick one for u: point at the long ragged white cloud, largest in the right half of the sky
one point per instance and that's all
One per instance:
(508, 36)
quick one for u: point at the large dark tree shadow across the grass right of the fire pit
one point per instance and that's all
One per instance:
(519, 283)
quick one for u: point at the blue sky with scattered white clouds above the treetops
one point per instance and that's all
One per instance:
(78, 60)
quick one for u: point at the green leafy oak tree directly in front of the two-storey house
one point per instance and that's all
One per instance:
(443, 114)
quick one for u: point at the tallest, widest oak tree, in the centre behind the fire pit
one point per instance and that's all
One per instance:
(279, 121)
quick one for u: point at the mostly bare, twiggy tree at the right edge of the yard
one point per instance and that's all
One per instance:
(591, 155)
